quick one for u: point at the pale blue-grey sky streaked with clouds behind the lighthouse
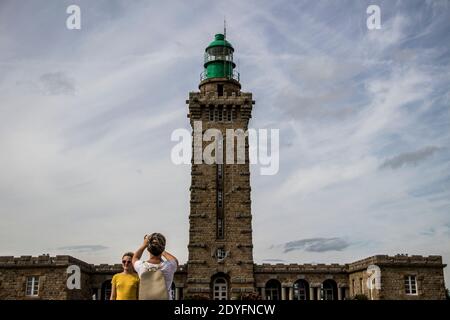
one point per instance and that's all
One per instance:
(81, 112)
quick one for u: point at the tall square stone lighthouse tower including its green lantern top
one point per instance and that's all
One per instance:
(220, 264)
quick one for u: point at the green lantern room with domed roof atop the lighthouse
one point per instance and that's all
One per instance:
(219, 60)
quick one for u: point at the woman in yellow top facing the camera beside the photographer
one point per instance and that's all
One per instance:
(125, 285)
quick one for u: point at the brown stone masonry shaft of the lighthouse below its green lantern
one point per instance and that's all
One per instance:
(237, 242)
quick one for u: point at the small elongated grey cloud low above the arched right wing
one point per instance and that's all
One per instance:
(317, 245)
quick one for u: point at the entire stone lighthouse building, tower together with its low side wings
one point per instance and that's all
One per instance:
(220, 263)
